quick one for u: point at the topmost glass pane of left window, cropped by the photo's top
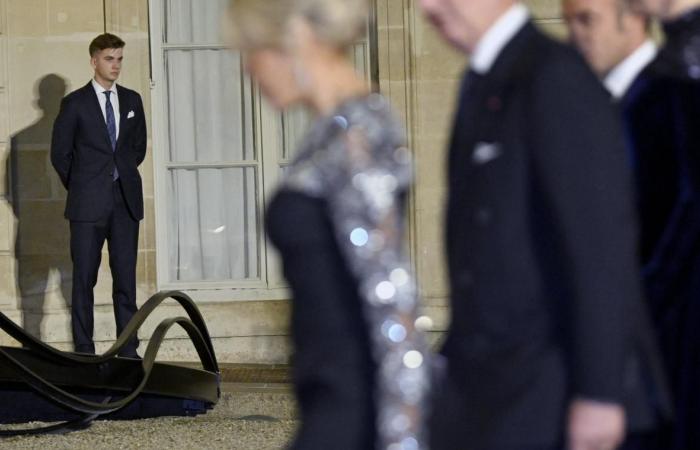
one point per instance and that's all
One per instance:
(193, 21)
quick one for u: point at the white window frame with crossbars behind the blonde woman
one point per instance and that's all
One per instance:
(270, 285)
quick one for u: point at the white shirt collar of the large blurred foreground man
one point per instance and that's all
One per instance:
(495, 39)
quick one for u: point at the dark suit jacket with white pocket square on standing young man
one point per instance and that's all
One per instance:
(82, 154)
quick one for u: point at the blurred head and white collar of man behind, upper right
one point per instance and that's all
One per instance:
(613, 39)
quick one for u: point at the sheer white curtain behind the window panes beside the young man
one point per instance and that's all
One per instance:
(212, 171)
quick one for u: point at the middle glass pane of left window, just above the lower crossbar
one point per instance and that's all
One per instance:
(209, 106)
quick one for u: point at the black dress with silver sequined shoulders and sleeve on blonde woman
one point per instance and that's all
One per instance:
(360, 367)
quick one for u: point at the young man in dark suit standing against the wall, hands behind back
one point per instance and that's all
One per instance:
(99, 140)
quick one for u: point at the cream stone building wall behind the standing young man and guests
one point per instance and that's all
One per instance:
(44, 37)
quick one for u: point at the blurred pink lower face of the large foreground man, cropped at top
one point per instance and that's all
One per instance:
(463, 22)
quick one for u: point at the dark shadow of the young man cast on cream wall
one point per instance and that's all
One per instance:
(42, 249)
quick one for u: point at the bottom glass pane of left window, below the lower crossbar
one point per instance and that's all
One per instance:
(213, 224)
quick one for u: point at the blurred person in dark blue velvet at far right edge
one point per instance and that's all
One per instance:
(664, 127)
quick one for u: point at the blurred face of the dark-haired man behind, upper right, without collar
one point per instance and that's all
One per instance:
(605, 31)
